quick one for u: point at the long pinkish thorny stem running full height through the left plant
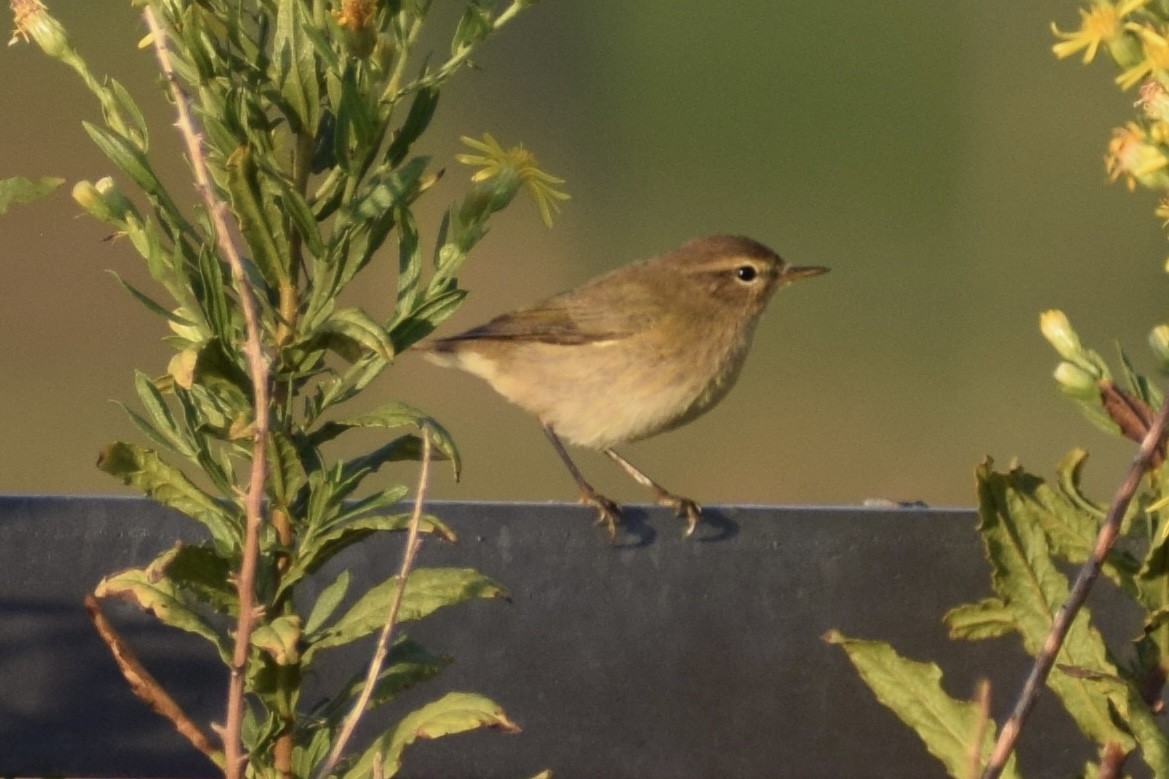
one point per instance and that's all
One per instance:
(259, 371)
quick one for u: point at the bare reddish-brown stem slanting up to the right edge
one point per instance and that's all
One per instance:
(1080, 594)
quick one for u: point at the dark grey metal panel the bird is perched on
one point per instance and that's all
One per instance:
(656, 658)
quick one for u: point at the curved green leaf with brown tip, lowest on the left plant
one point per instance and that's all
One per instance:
(455, 713)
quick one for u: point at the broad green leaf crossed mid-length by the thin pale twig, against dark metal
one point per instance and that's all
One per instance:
(427, 590)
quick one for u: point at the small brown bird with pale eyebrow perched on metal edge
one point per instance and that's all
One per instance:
(632, 354)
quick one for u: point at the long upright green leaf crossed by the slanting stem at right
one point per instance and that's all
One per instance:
(1026, 578)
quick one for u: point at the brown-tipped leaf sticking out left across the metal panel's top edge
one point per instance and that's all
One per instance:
(143, 470)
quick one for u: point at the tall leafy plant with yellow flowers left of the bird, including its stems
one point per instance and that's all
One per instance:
(300, 120)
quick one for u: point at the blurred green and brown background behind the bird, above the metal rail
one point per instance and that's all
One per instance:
(936, 156)
